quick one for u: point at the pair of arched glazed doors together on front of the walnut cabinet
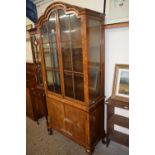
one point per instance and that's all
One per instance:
(63, 55)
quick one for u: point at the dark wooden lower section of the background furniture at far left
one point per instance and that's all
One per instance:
(35, 96)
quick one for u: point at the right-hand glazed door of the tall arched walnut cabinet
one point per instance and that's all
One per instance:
(71, 50)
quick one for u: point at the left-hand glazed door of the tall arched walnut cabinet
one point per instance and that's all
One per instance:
(50, 52)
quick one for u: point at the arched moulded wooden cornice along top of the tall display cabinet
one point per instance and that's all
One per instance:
(68, 8)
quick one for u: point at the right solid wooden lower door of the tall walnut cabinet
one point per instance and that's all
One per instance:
(75, 122)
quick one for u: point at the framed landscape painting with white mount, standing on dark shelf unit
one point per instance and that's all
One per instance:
(121, 83)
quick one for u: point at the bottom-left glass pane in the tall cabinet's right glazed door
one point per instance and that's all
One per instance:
(68, 81)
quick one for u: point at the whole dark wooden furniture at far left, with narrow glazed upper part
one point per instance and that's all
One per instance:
(35, 95)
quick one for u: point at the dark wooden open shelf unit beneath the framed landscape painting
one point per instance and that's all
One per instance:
(113, 118)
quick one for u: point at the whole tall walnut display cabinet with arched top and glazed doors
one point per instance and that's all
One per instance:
(72, 57)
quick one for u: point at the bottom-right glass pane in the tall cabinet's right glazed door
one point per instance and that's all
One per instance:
(79, 90)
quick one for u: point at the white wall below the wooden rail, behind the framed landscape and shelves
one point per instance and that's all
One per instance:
(116, 52)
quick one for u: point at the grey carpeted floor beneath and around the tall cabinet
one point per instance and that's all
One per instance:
(38, 142)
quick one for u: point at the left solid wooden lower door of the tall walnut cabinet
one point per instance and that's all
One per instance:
(55, 114)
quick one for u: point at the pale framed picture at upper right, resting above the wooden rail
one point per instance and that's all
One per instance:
(117, 11)
